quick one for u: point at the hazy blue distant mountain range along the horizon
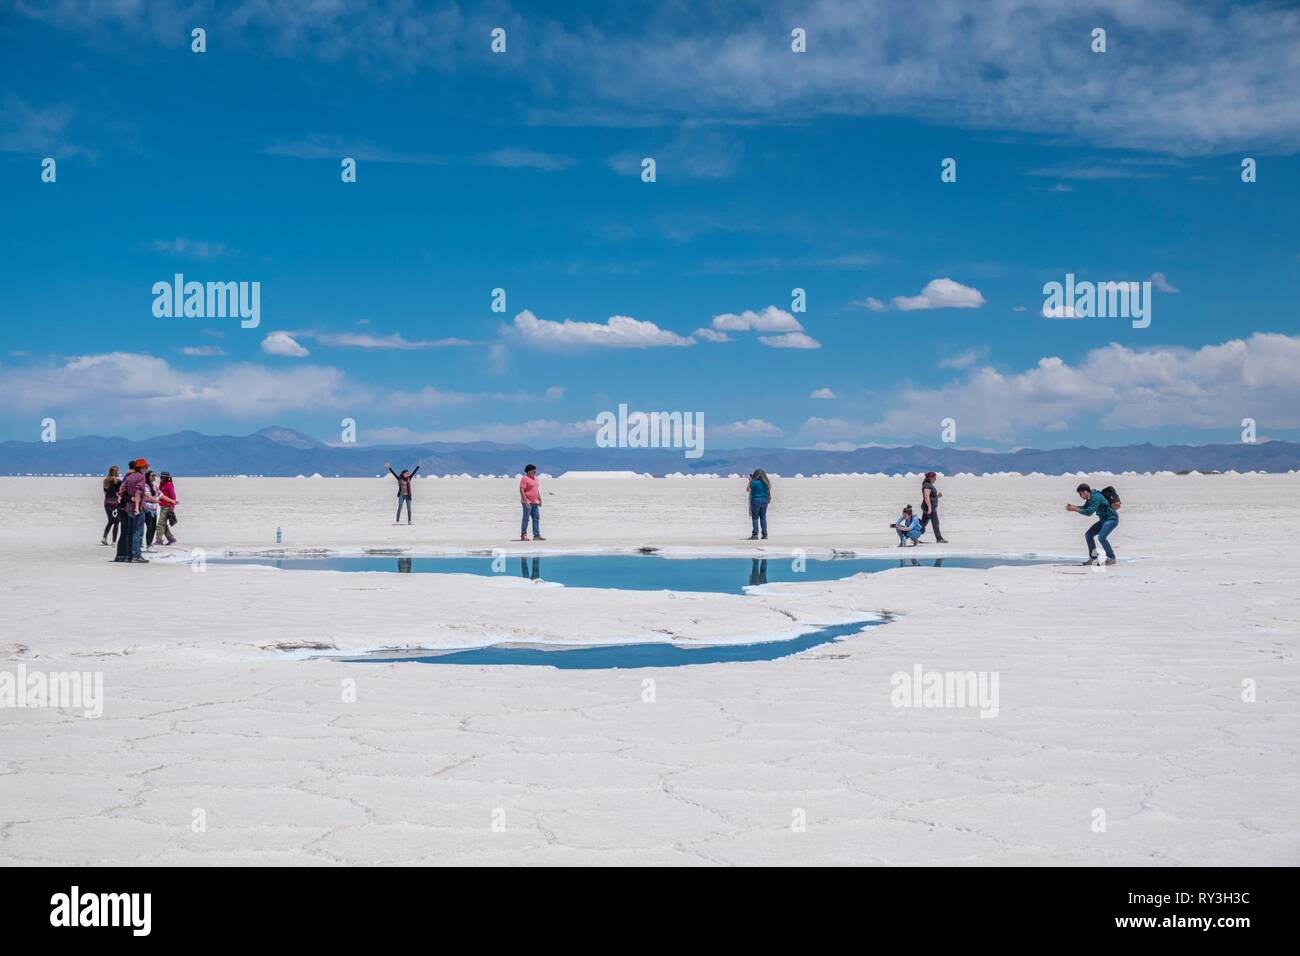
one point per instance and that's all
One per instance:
(283, 452)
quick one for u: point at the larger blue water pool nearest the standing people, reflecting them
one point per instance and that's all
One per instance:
(632, 572)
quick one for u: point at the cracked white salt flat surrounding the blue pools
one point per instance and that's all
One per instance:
(1120, 691)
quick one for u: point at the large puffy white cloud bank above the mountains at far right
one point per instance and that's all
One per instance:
(1117, 387)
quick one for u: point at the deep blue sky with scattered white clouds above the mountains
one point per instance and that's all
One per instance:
(775, 171)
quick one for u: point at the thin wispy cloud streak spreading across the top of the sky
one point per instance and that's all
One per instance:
(1197, 77)
